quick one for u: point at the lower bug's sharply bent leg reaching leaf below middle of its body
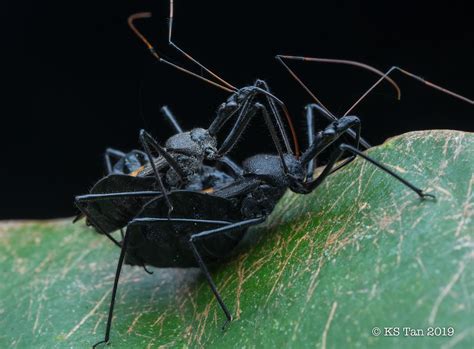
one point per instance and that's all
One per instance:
(207, 234)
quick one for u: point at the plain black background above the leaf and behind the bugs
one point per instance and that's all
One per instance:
(76, 80)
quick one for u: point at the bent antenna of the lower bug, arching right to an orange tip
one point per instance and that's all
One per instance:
(334, 61)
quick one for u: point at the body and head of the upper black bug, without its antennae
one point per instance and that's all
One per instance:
(132, 180)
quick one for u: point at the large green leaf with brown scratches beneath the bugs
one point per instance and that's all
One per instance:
(361, 251)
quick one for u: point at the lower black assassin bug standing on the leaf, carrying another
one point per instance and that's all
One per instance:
(204, 227)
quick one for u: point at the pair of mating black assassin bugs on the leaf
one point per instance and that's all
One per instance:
(187, 205)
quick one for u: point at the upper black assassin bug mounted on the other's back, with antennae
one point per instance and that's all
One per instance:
(115, 199)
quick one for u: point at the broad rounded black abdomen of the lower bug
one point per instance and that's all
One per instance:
(163, 241)
